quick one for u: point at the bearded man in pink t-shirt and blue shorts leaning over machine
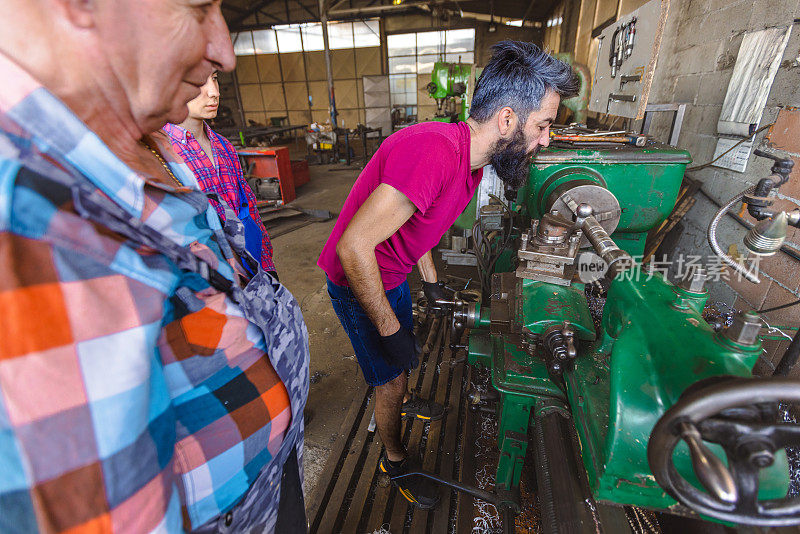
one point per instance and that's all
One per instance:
(409, 194)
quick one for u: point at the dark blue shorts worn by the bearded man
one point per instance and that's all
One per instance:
(363, 334)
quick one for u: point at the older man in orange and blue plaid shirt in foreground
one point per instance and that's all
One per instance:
(148, 380)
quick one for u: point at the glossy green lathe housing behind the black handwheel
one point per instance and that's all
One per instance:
(656, 344)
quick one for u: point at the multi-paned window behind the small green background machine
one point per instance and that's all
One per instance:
(412, 54)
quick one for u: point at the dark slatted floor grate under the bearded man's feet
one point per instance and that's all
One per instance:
(353, 497)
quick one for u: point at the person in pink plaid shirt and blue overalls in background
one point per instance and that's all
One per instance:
(215, 163)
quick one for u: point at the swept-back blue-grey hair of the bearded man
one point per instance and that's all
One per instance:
(518, 75)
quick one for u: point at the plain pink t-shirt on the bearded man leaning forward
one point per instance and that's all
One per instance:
(429, 164)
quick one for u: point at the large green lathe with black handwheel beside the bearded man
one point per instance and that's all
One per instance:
(642, 403)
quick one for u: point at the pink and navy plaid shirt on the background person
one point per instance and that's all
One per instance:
(220, 177)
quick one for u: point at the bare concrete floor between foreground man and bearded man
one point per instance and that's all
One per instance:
(334, 371)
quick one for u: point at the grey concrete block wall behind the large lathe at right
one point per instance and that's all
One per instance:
(698, 53)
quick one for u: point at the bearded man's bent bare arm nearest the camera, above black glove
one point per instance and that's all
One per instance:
(384, 211)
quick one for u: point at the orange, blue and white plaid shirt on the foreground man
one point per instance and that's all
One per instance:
(134, 397)
